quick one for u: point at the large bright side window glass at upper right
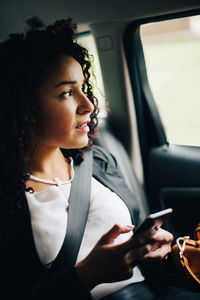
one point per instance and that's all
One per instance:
(172, 55)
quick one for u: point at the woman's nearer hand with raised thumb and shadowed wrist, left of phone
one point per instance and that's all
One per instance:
(106, 262)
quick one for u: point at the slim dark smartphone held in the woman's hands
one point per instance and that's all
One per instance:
(153, 222)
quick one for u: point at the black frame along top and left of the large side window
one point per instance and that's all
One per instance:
(150, 128)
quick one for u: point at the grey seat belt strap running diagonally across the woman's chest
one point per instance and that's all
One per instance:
(79, 202)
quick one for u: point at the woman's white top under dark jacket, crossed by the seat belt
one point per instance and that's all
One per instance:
(49, 212)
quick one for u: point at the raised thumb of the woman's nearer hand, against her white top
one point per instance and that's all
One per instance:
(114, 232)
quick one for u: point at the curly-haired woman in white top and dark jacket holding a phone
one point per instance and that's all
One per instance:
(48, 122)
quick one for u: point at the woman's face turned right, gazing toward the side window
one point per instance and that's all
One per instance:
(64, 108)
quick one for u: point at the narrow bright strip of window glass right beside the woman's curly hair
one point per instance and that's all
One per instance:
(87, 41)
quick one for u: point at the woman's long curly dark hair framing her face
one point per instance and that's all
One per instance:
(23, 60)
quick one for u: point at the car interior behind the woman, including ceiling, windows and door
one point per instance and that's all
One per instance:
(147, 68)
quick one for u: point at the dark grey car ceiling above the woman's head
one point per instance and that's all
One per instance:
(12, 13)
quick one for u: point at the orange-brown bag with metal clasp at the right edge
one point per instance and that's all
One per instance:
(186, 254)
